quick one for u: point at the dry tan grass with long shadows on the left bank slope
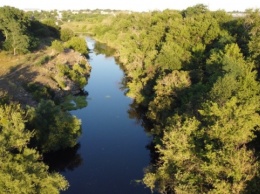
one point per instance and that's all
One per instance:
(17, 72)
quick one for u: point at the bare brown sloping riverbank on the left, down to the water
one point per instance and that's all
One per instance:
(20, 75)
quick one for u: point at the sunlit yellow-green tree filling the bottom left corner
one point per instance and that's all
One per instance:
(22, 170)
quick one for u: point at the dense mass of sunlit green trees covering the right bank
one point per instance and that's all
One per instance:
(196, 74)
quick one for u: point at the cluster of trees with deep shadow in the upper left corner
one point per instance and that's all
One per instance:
(21, 33)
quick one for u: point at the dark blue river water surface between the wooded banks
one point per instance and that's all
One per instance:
(112, 152)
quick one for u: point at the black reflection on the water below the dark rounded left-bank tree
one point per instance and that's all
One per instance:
(63, 160)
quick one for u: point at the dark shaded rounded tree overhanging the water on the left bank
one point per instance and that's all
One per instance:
(54, 128)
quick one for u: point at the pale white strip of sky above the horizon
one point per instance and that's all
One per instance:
(134, 5)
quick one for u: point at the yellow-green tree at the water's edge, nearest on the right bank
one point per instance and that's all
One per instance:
(178, 160)
